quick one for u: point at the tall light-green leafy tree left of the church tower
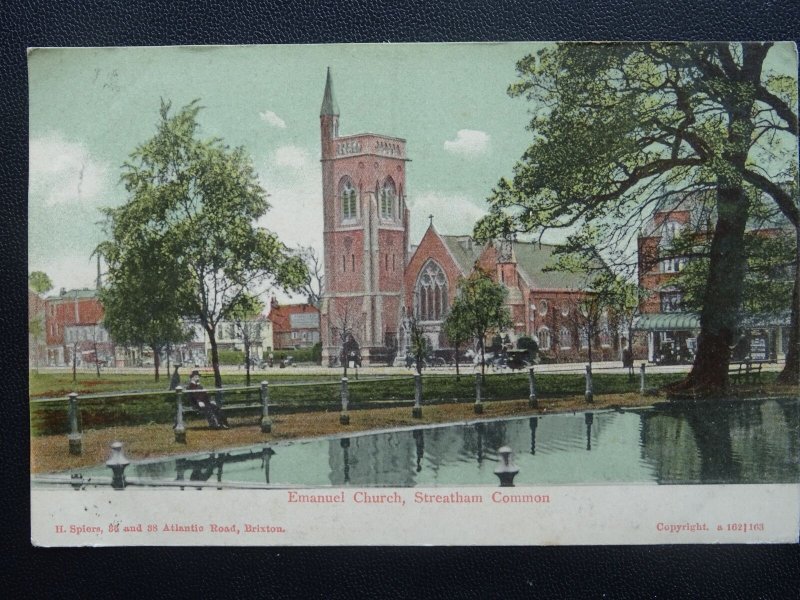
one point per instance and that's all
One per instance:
(198, 201)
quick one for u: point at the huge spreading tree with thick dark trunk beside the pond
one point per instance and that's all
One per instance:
(620, 127)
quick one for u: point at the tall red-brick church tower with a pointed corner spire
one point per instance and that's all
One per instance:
(366, 225)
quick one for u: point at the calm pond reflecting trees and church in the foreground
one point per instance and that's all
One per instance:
(741, 442)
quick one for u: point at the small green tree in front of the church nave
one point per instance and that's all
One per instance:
(484, 307)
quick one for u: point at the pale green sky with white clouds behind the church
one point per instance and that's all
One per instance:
(91, 107)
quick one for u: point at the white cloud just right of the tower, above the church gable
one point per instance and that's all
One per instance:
(452, 214)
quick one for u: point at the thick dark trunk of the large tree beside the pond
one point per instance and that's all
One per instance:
(722, 300)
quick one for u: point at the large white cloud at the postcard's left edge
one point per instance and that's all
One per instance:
(65, 173)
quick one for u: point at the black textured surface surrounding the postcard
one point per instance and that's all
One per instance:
(653, 571)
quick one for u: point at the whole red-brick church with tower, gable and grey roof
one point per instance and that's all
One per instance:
(376, 282)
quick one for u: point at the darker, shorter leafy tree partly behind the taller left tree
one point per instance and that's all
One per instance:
(142, 295)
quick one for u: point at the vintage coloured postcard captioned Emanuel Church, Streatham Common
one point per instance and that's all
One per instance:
(411, 294)
